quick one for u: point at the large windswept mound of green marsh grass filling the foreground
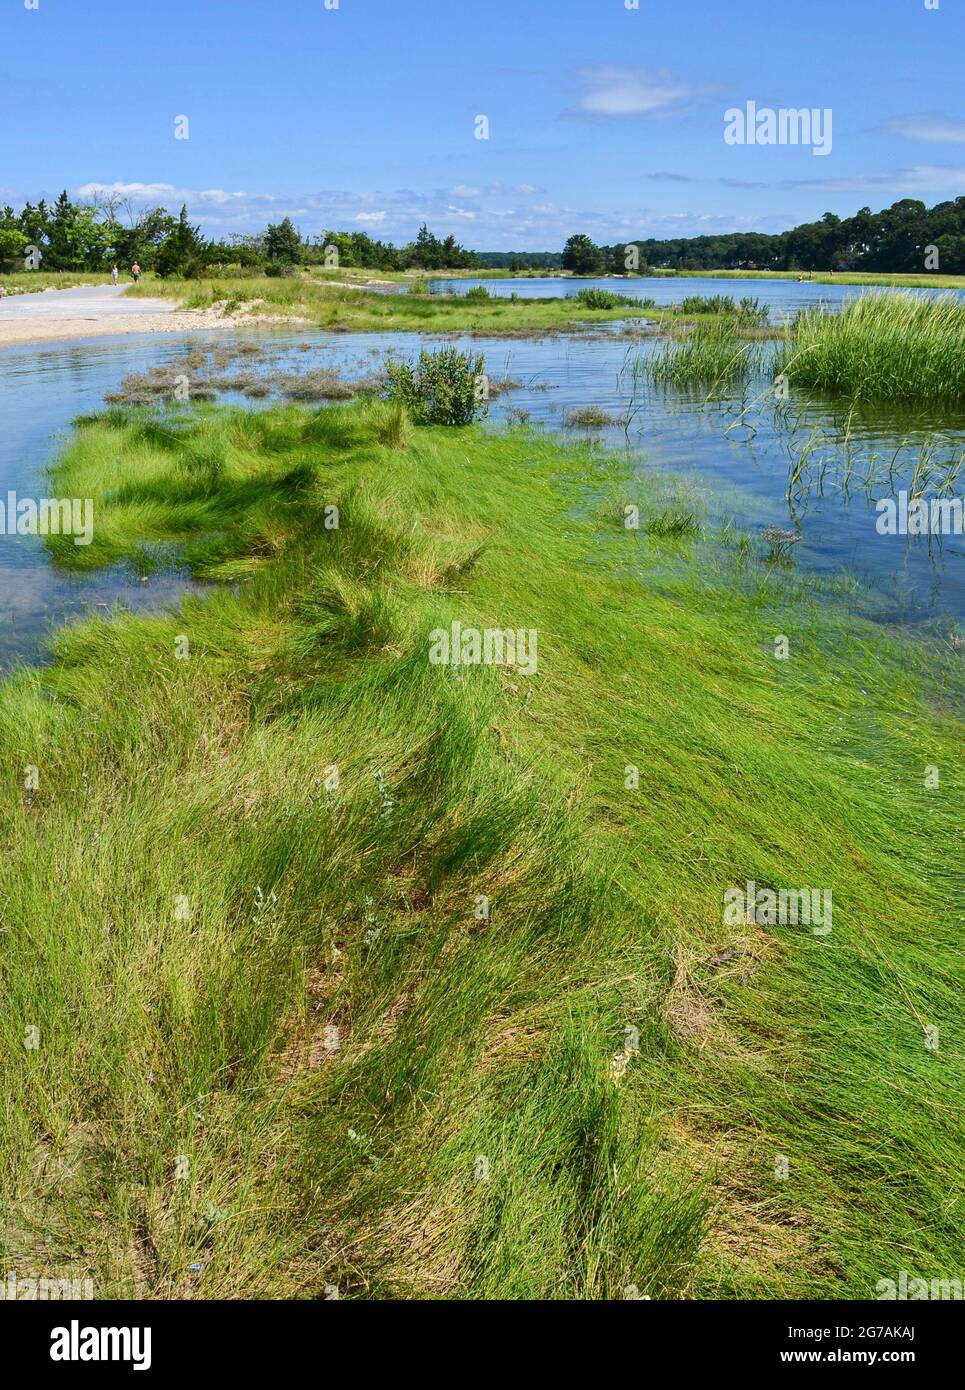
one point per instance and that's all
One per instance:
(191, 901)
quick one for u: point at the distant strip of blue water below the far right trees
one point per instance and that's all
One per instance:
(782, 297)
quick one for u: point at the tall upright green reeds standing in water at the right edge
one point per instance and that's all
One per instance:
(881, 348)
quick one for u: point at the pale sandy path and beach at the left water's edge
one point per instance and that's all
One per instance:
(95, 312)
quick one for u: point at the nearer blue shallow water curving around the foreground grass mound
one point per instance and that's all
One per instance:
(735, 454)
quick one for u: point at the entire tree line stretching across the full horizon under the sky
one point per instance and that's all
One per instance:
(907, 237)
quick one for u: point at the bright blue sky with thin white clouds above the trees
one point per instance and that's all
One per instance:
(603, 119)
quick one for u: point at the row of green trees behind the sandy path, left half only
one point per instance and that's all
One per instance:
(92, 237)
